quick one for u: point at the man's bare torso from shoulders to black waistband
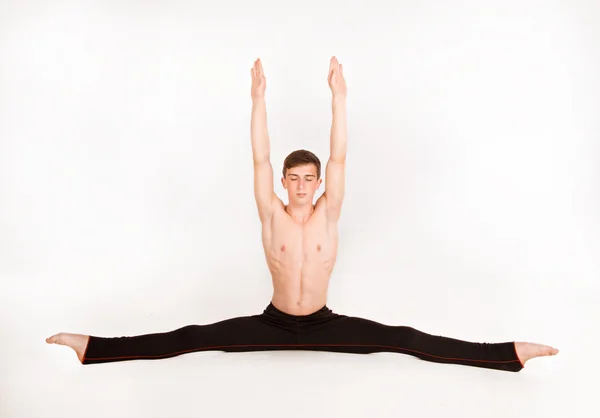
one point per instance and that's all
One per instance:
(301, 258)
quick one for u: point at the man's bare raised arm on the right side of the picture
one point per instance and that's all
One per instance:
(336, 166)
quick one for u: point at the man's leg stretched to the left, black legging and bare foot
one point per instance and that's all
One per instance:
(245, 333)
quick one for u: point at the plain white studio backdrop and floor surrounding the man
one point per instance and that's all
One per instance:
(472, 200)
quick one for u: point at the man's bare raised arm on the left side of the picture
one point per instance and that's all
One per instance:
(261, 150)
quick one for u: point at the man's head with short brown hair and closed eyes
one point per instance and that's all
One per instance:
(301, 176)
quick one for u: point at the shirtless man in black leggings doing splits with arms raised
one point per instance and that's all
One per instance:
(300, 241)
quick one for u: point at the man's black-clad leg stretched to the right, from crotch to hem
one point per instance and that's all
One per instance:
(341, 333)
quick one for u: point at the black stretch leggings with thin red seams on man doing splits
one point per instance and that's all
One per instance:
(320, 331)
